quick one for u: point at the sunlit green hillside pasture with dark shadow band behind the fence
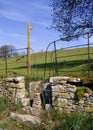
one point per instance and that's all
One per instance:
(71, 62)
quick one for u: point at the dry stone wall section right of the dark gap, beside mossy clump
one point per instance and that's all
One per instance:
(64, 95)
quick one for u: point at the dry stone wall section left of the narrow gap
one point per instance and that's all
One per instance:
(14, 90)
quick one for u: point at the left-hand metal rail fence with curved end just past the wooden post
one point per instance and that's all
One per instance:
(16, 63)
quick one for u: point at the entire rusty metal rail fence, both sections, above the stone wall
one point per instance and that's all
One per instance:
(74, 61)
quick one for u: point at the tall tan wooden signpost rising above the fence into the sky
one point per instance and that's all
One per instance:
(29, 27)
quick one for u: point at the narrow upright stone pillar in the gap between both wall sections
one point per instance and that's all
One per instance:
(35, 89)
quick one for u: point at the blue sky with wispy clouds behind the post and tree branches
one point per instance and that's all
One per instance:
(16, 14)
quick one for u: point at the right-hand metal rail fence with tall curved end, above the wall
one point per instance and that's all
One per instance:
(76, 61)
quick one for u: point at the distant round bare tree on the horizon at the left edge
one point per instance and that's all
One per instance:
(7, 51)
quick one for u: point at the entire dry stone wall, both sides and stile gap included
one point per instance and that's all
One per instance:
(58, 93)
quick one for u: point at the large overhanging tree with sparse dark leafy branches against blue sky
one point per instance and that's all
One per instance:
(72, 18)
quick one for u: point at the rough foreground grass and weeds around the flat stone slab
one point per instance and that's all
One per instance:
(51, 120)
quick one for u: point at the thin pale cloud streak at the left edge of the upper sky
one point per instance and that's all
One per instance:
(13, 15)
